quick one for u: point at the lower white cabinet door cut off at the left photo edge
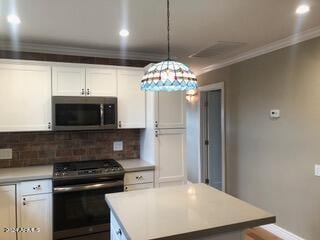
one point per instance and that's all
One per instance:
(7, 211)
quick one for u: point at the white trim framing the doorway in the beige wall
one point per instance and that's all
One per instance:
(207, 88)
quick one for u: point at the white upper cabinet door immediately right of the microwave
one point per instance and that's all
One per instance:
(131, 99)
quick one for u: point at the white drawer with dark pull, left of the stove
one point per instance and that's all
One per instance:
(36, 187)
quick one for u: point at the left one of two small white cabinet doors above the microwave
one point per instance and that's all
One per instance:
(68, 81)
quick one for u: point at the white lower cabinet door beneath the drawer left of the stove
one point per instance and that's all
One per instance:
(36, 212)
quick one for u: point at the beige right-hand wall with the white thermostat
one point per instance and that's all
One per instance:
(270, 163)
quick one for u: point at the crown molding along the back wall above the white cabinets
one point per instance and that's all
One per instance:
(77, 51)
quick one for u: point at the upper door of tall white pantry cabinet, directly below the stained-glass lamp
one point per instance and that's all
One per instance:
(171, 110)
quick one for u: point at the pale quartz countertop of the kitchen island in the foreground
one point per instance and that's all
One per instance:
(182, 212)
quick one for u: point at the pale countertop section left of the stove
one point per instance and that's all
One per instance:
(12, 175)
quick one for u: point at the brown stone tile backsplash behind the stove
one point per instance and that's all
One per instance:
(39, 148)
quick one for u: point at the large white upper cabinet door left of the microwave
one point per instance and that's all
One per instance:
(25, 97)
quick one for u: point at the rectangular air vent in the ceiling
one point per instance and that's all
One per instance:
(219, 50)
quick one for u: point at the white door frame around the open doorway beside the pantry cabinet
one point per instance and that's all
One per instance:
(208, 88)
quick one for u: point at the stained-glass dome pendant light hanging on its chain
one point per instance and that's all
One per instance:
(169, 75)
